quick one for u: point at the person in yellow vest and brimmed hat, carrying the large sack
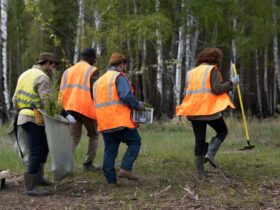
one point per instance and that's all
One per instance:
(32, 88)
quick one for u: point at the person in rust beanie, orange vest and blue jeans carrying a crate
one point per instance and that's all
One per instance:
(114, 102)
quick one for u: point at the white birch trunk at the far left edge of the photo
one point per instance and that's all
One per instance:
(4, 33)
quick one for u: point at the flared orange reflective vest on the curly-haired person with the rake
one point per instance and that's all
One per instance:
(199, 99)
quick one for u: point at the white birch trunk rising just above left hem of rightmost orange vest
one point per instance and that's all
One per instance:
(178, 78)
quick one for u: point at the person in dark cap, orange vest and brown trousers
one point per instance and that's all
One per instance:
(76, 97)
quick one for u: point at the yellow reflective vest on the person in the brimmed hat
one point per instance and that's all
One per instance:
(25, 94)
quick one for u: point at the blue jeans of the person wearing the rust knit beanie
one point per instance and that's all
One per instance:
(112, 142)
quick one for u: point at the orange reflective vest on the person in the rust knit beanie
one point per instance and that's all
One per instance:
(111, 112)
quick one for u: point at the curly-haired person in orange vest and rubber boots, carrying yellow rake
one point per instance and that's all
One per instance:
(206, 97)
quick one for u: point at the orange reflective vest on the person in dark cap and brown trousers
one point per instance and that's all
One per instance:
(75, 89)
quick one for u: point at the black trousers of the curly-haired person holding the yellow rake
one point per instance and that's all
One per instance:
(200, 128)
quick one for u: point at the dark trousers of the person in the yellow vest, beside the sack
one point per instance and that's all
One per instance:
(38, 146)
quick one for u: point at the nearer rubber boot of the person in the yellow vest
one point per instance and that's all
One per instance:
(30, 181)
